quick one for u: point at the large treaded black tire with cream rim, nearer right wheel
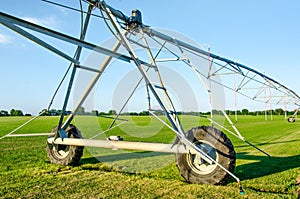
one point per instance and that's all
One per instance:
(217, 145)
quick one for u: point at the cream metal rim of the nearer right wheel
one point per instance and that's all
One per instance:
(198, 164)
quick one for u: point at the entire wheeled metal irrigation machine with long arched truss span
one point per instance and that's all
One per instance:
(203, 154)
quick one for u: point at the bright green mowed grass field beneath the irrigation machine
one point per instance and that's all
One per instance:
(26, 172)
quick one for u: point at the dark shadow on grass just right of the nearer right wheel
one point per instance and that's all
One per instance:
(264, 166)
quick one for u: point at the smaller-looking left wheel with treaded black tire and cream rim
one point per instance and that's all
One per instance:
(65, 154)
